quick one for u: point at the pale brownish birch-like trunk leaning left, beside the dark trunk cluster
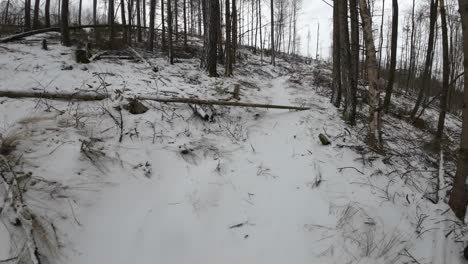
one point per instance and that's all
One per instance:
(374, 137)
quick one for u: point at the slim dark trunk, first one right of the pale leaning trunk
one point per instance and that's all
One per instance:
(394, 44)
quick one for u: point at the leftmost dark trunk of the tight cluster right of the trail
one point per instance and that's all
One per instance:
(336, 92)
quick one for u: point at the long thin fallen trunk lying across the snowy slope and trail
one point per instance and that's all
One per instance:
(99, 97)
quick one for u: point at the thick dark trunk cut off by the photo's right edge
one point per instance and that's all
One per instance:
(458, 197)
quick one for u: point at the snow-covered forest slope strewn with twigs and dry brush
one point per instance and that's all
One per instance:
(254, 186)
